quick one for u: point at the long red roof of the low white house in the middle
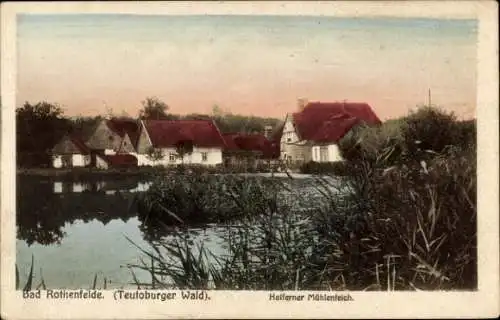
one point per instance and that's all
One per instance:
(167, 133)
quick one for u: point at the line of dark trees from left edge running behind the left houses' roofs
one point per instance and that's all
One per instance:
(41, 125)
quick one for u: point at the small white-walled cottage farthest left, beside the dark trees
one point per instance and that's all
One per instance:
(70, 152)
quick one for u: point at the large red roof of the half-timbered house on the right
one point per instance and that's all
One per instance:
(329, 122)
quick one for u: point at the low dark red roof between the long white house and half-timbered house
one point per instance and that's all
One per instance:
(251, 142)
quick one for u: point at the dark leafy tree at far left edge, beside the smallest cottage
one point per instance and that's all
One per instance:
(39, 127)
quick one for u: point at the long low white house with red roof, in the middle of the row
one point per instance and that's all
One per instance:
(172, 142)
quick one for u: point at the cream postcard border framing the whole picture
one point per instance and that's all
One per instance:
(483, 303)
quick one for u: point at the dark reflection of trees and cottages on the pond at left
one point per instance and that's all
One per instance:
(44, 208)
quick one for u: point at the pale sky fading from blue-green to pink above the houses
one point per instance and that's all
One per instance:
(255, 65)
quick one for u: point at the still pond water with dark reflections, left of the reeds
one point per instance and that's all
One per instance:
(76, 230)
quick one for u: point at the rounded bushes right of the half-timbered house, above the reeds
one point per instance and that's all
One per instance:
(419, 136)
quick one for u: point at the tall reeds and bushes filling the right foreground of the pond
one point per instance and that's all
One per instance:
(404, 218)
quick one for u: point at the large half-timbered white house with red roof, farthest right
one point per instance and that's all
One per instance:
(312, 133)
